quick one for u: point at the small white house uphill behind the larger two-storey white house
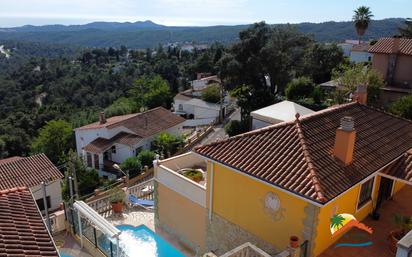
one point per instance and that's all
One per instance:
(197, 111)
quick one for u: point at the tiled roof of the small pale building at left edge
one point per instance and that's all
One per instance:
(28, 172)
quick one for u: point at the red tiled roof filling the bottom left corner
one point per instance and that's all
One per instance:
(23, 232)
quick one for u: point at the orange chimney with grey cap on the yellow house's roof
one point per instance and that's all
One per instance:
(345, 141)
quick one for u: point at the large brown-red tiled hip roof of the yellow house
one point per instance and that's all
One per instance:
(297, 156)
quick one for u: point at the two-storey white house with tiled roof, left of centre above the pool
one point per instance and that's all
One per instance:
(111, 141)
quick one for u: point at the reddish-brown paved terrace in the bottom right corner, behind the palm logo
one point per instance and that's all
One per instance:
(400, 204)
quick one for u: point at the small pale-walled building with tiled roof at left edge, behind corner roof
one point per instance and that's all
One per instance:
(31, 172)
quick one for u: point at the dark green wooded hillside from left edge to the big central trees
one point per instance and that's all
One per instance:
(41, 83)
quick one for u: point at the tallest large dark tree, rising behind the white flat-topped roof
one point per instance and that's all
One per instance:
(261, 64)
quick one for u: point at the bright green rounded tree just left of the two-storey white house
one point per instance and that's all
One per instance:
(55, 140)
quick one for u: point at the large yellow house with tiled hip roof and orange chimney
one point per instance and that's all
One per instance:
(285, 180)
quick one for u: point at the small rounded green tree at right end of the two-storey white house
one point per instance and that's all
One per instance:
(167, 144)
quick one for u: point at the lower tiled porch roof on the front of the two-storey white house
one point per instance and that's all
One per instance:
(101, 144)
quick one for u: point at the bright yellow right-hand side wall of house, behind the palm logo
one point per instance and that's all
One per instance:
(345, 203)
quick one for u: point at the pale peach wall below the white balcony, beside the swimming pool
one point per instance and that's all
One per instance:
(183, 216)
